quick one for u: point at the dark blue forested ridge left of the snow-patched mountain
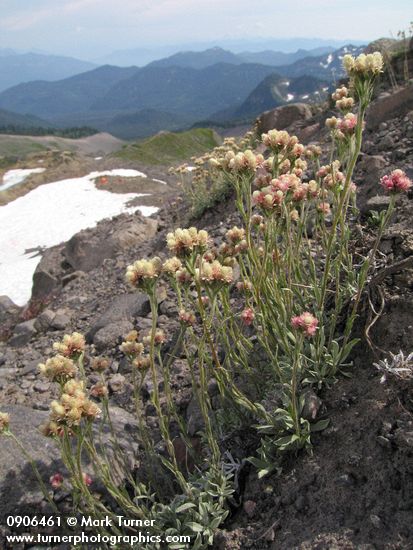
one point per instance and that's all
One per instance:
(108, 91)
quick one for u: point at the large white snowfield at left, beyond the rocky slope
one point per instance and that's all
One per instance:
(49, 215)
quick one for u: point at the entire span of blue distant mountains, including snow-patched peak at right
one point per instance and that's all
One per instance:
(175, 92)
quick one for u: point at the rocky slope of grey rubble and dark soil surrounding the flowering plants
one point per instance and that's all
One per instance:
(355, 490)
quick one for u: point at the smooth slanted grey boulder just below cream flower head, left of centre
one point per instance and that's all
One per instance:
(125, 307)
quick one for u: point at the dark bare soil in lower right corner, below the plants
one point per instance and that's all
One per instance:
(354, 491)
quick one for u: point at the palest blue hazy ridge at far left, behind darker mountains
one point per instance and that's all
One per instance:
(17, 68)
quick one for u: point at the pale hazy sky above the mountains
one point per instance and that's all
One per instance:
(90, 28)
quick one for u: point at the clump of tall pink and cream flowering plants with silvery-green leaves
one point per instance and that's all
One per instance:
(267, 315)
